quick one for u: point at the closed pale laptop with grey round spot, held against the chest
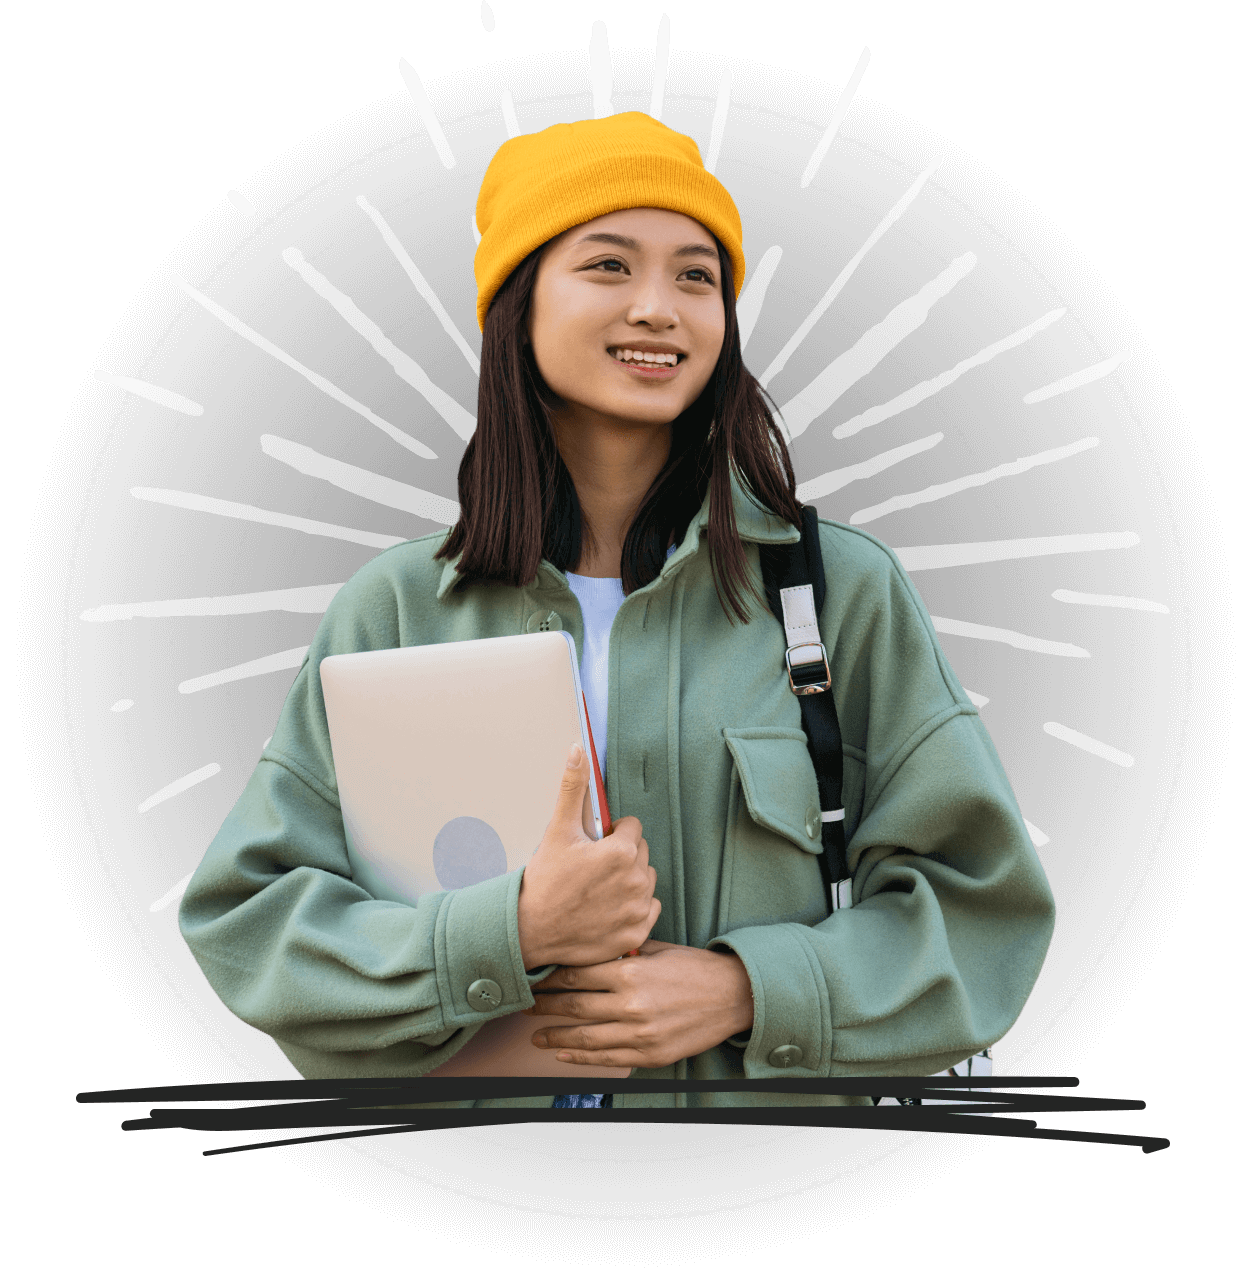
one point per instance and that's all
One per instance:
(449, 760)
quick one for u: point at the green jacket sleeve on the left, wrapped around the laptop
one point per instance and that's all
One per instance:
(347, 985)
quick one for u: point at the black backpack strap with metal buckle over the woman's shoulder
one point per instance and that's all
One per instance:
(796, 589)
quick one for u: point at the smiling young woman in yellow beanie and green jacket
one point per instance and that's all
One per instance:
(630, 506)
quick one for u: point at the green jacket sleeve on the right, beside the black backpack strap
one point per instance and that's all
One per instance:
(951, 913)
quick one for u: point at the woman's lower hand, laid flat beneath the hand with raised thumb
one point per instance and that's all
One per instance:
(647, 1012)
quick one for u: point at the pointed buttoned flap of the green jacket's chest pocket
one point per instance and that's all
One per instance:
(780, 783)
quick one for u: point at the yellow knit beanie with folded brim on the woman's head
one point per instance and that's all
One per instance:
(540, 185)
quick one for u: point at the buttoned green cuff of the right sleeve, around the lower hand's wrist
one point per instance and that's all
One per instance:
(791, 1028)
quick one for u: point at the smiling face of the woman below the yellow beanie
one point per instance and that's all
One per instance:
(657, 285)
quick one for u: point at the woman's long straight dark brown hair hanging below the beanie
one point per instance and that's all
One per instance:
(517, 497)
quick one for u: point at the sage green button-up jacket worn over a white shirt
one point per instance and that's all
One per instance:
(934, 960)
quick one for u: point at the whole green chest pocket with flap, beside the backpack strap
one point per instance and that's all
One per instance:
(771, 870)
